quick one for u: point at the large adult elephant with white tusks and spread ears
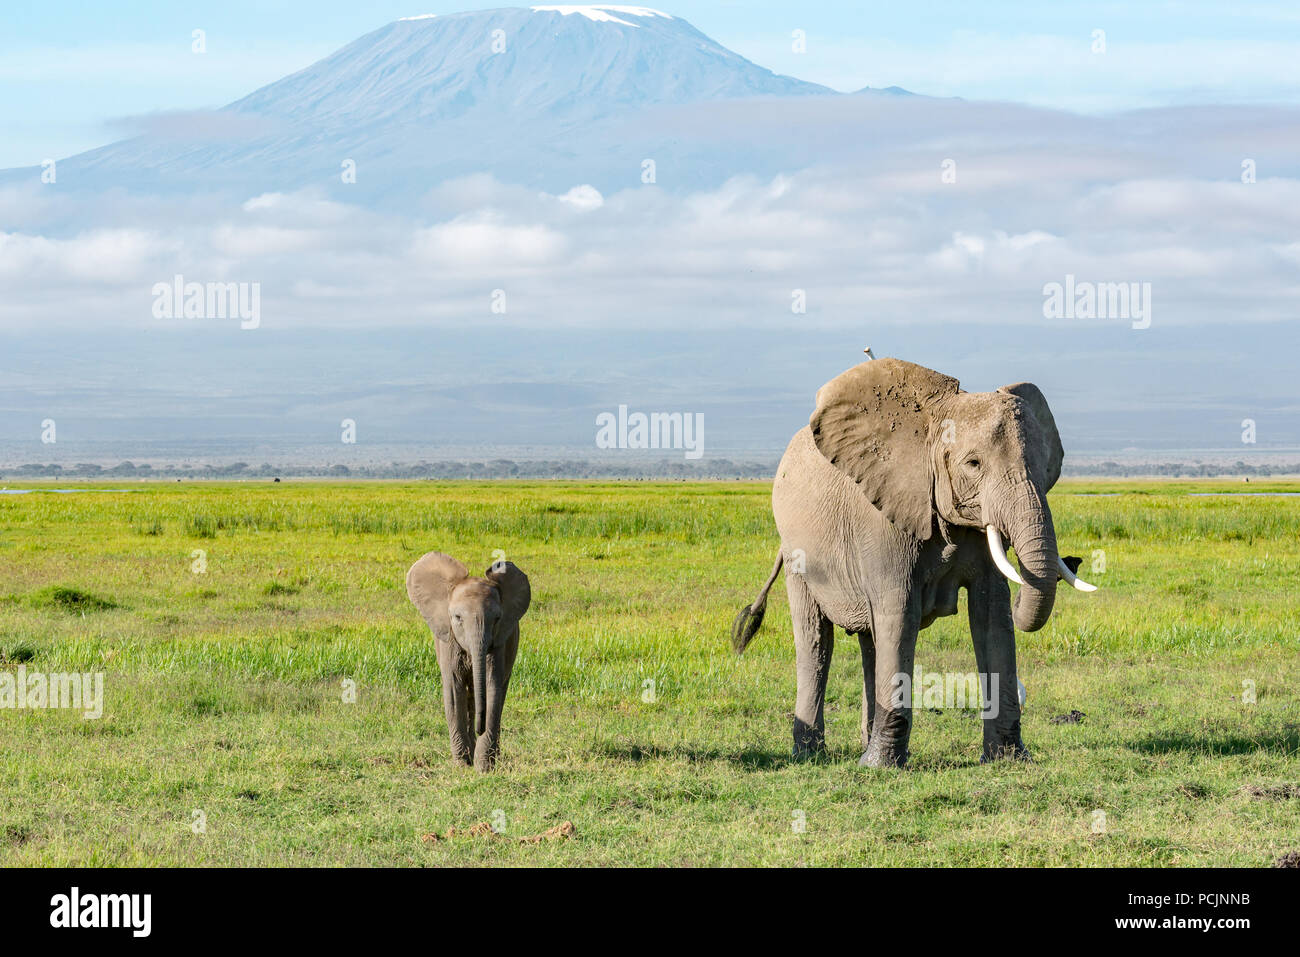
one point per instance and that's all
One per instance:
(899, 493)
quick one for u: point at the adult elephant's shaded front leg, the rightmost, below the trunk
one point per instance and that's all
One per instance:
(994, 635)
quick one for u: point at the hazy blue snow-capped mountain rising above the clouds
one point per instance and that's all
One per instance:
(547, 97)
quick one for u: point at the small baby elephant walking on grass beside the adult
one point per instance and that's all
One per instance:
(476, 625)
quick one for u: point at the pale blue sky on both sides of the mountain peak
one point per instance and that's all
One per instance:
(68, 71)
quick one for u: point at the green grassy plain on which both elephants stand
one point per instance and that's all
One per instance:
(224, 688)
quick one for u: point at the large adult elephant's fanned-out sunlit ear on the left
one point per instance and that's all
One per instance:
(873, 423)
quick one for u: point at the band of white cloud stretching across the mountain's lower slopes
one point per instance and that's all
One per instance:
(882, 236)
